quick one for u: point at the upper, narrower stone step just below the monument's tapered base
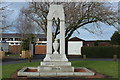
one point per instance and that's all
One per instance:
(56, 63)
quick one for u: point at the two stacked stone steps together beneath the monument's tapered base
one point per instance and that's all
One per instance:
(56, 66)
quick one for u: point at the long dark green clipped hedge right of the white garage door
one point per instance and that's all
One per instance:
(100, 52)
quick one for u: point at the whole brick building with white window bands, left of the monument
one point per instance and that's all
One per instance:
(14, 41)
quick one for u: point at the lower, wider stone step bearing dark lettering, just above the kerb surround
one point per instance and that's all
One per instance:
(56, 69)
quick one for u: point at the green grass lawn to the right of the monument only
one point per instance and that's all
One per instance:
(105, 67)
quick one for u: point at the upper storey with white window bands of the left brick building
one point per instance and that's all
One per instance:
(15, 38)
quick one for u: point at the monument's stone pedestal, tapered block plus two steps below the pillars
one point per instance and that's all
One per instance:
(56, 63)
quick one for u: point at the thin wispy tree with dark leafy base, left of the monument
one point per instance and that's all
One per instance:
(25, 27)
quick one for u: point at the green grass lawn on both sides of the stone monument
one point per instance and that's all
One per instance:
(106, 67)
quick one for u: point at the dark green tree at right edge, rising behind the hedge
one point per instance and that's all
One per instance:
(115, 39)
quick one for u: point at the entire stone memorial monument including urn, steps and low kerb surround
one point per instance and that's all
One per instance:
(55, 63)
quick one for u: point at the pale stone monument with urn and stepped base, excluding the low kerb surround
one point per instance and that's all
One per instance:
(56, 61)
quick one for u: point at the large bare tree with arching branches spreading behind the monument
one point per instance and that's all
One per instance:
(76, 15)
